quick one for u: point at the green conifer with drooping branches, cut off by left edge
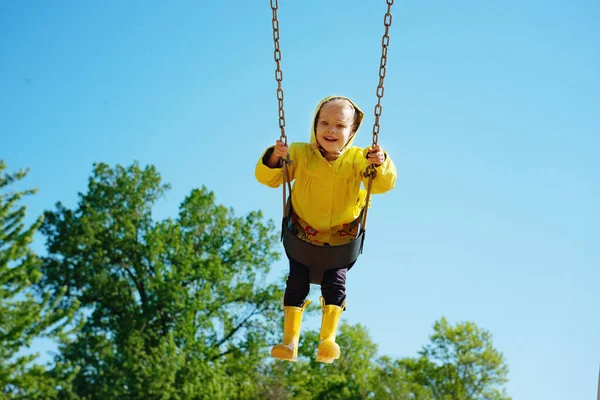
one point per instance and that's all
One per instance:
(24, 316)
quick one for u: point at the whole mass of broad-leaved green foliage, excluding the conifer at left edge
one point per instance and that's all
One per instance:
(180, 308)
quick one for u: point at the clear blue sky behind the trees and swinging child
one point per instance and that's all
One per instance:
(491, 114)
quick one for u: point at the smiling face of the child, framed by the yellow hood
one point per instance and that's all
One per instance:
(335, 126)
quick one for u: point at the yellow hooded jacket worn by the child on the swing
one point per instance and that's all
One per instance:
(327, 195)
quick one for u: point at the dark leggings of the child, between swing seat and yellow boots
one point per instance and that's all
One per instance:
(333, 287)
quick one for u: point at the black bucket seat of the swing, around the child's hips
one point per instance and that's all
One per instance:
(319, 259)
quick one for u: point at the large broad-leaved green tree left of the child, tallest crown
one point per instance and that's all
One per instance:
(171, 309)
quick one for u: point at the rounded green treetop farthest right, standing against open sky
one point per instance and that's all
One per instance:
(460, 363)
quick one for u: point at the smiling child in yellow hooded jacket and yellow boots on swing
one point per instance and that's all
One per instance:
(328, 200)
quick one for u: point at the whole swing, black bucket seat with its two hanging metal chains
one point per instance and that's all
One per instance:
(316, 258)
